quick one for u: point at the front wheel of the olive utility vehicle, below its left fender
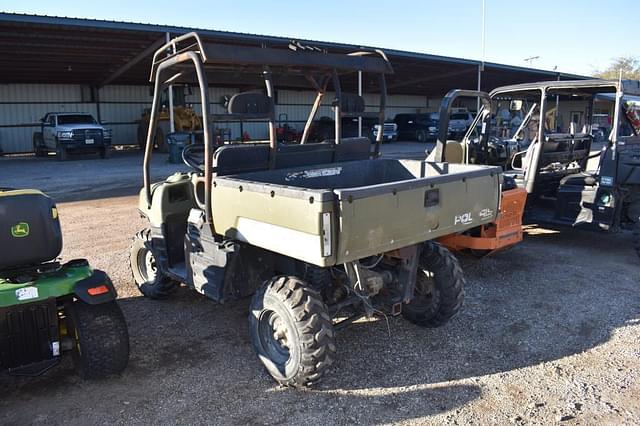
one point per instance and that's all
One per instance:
(150, 280)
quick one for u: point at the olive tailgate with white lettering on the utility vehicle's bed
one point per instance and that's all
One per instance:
(379, 218)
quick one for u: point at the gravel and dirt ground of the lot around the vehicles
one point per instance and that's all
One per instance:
(549, 333)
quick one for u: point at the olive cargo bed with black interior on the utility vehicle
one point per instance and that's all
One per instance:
(334, 213)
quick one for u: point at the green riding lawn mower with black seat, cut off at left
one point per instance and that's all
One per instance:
(48, 309)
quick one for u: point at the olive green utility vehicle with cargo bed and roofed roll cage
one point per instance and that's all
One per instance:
(320, 234)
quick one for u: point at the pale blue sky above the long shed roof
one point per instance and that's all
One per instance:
(578, 37)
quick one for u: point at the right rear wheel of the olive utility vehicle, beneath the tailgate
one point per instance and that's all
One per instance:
(439, 291)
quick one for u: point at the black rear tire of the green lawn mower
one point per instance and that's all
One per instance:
(101, 339)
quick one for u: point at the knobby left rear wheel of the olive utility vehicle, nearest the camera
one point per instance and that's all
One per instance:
(291, 331)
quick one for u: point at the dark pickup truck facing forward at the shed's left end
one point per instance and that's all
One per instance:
(65, 132)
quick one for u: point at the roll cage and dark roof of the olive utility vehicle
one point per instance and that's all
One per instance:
(188, 60)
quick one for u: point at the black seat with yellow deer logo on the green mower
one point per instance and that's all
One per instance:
(30, 231)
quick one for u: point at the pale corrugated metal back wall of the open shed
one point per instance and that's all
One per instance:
(22, 106)
